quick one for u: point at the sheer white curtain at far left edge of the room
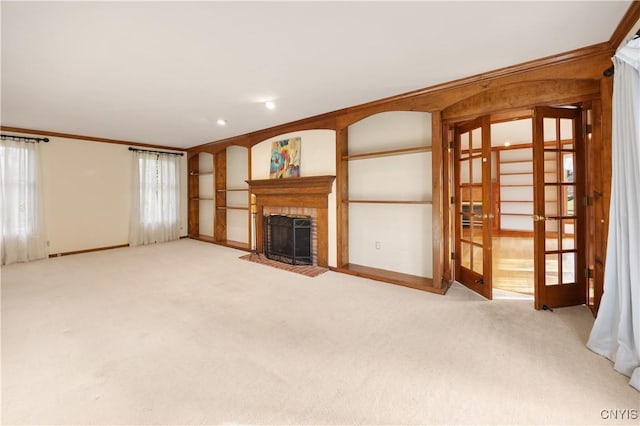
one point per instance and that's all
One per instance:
(21, 203)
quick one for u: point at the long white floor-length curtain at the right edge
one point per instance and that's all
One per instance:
(616, 332)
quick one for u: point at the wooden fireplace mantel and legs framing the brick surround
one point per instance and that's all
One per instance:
(304, 192)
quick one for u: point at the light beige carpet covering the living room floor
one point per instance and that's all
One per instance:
(187, 333)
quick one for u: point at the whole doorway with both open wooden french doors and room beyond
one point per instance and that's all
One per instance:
(518, 184)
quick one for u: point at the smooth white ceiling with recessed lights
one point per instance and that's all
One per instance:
(164, 72)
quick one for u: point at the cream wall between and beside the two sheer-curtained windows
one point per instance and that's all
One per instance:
(87, 194)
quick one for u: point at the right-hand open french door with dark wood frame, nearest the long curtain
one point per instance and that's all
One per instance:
(558, 151)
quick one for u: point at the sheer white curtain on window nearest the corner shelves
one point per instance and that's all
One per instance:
(155, 208)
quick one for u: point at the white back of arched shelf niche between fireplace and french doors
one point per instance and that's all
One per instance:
(396, 237)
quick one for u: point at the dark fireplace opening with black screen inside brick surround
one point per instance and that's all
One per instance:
(287, 238)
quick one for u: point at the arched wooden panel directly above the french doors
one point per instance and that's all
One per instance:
(522, 95)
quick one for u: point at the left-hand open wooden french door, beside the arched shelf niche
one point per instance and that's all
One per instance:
(473, 218)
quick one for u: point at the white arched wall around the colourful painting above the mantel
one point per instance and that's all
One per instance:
(317, 158)
